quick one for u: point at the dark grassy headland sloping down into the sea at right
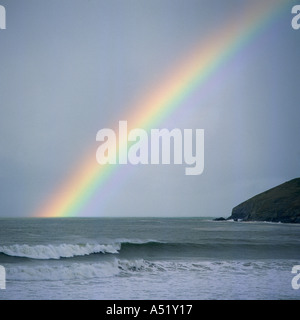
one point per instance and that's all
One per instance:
(279, 204)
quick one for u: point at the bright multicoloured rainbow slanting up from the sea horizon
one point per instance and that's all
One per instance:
(72, 198)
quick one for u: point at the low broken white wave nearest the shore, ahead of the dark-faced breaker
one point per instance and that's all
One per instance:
(125, 267)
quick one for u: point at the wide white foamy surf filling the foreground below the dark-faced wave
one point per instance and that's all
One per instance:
(143, 279)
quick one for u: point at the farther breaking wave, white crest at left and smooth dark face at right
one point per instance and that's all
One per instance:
(134, 249)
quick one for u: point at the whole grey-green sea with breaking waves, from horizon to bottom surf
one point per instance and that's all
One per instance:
(147, 258)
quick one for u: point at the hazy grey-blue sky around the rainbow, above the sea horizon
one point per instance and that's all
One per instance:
(69, 68)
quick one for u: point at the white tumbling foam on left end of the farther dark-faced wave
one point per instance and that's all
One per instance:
(57, 251)
